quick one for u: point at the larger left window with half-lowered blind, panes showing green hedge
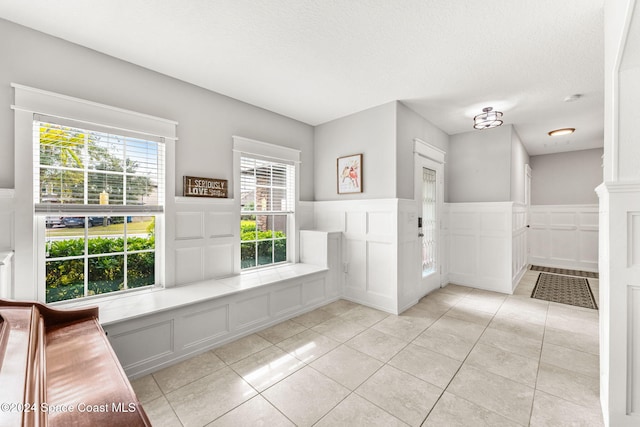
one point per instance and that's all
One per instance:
(99, 192)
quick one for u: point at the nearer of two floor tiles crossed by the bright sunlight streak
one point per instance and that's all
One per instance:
(267, 367)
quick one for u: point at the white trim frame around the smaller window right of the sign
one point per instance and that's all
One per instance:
(252, 147)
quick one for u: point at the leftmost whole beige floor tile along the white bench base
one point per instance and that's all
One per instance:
(180, 374)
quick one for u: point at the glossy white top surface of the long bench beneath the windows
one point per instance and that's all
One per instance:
(132, 305)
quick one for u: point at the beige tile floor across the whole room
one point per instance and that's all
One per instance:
(460, 357)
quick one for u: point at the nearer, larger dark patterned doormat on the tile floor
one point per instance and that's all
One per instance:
(565, 290)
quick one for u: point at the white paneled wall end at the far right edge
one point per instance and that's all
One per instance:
(619, 198)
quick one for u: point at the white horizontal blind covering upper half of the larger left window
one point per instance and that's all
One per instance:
(90, 169)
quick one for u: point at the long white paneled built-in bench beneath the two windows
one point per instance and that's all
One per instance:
(152, 329)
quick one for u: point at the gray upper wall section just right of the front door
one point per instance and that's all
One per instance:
(479, 166)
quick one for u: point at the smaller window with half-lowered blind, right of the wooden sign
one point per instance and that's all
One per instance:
(267, 202)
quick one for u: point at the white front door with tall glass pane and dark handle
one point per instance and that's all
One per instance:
(429, 194)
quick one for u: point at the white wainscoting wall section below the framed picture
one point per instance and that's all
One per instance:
(369, 248)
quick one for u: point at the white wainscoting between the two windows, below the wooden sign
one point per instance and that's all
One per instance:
(206, 239)
